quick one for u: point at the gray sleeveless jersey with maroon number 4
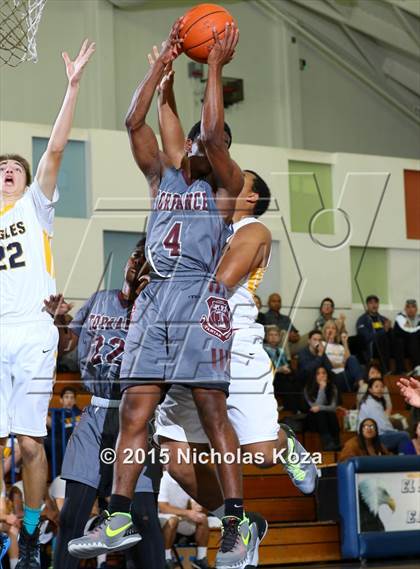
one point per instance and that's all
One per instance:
(186, 233)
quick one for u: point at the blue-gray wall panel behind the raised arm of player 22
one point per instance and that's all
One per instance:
(71, 183)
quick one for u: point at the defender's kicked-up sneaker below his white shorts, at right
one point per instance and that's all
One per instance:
(298, 464)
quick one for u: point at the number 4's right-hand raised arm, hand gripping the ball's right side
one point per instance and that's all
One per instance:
(228, 173)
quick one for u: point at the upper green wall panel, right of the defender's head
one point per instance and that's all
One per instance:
(306, 181)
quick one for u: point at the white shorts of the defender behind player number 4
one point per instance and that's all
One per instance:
(252, 408)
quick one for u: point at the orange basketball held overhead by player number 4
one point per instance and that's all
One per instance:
(197, 29)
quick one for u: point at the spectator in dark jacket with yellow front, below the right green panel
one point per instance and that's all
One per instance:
(373, 330)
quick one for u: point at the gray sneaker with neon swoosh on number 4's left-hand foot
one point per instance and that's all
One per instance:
(115, 532)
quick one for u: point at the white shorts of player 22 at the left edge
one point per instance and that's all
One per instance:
(27, 371)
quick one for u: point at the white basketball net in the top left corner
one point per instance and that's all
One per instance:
(19, 20)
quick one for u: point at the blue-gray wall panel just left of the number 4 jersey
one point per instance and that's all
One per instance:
(118, 246)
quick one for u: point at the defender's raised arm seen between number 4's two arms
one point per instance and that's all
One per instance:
(170, 127)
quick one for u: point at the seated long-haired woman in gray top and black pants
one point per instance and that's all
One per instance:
(321, 396)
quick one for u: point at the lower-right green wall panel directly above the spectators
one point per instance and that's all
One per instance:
(373, 274)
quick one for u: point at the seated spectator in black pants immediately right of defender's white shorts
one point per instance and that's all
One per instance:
(288, 390)
